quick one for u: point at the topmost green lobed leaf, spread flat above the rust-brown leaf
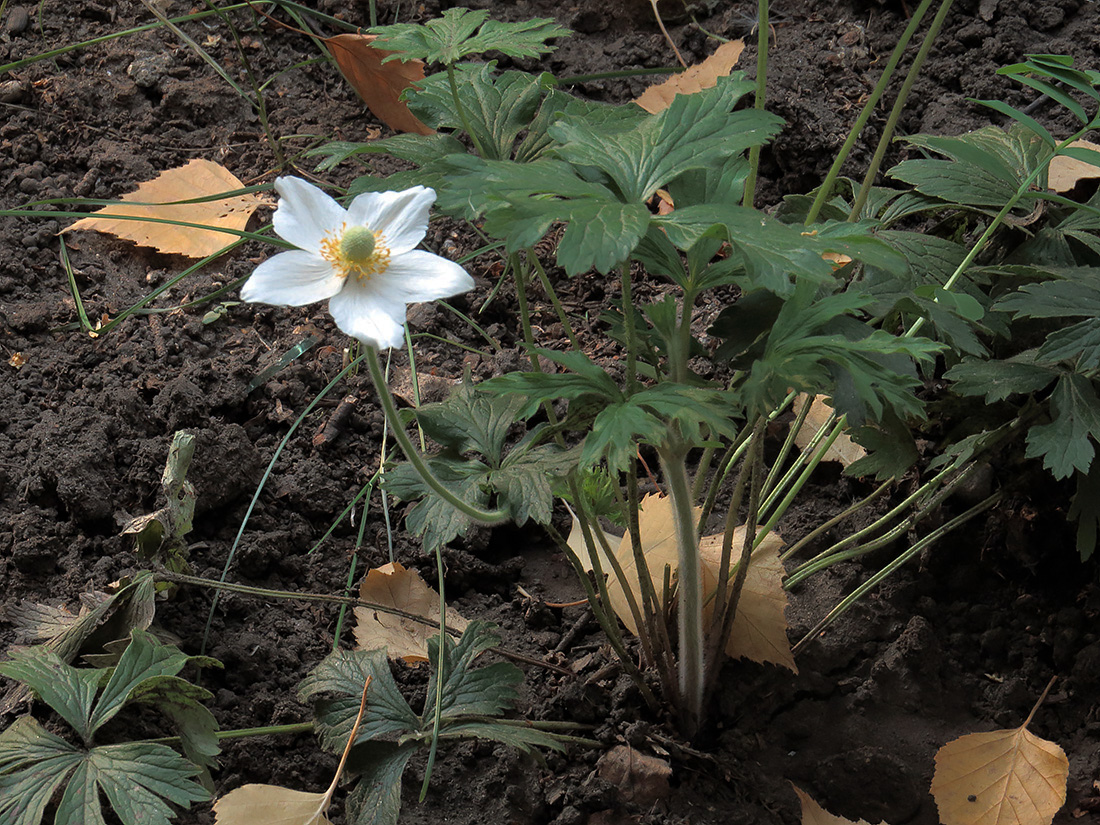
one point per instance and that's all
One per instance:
(463, 32)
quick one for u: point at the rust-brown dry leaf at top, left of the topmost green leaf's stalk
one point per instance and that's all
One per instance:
(379, 85)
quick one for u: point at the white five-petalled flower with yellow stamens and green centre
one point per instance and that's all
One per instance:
(362, 259)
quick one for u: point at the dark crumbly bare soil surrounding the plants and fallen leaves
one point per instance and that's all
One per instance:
(963, 642)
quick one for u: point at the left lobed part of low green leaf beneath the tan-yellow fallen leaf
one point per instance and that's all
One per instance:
(343, 675)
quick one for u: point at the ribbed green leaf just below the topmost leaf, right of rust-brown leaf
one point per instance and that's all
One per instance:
(498, 107)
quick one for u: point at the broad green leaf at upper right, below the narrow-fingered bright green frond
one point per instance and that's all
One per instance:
(986, 168)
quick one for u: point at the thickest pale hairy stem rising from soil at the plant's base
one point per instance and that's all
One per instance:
(690, 603)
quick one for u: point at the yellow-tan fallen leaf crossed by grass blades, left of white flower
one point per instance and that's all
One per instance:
(195, 180)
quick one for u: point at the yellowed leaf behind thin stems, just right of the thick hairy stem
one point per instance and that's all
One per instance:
(760, 631)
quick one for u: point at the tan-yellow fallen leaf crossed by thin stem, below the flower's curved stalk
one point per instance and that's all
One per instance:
(404, 639)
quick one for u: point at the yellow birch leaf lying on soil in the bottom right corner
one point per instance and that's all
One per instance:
(1000, 778)
